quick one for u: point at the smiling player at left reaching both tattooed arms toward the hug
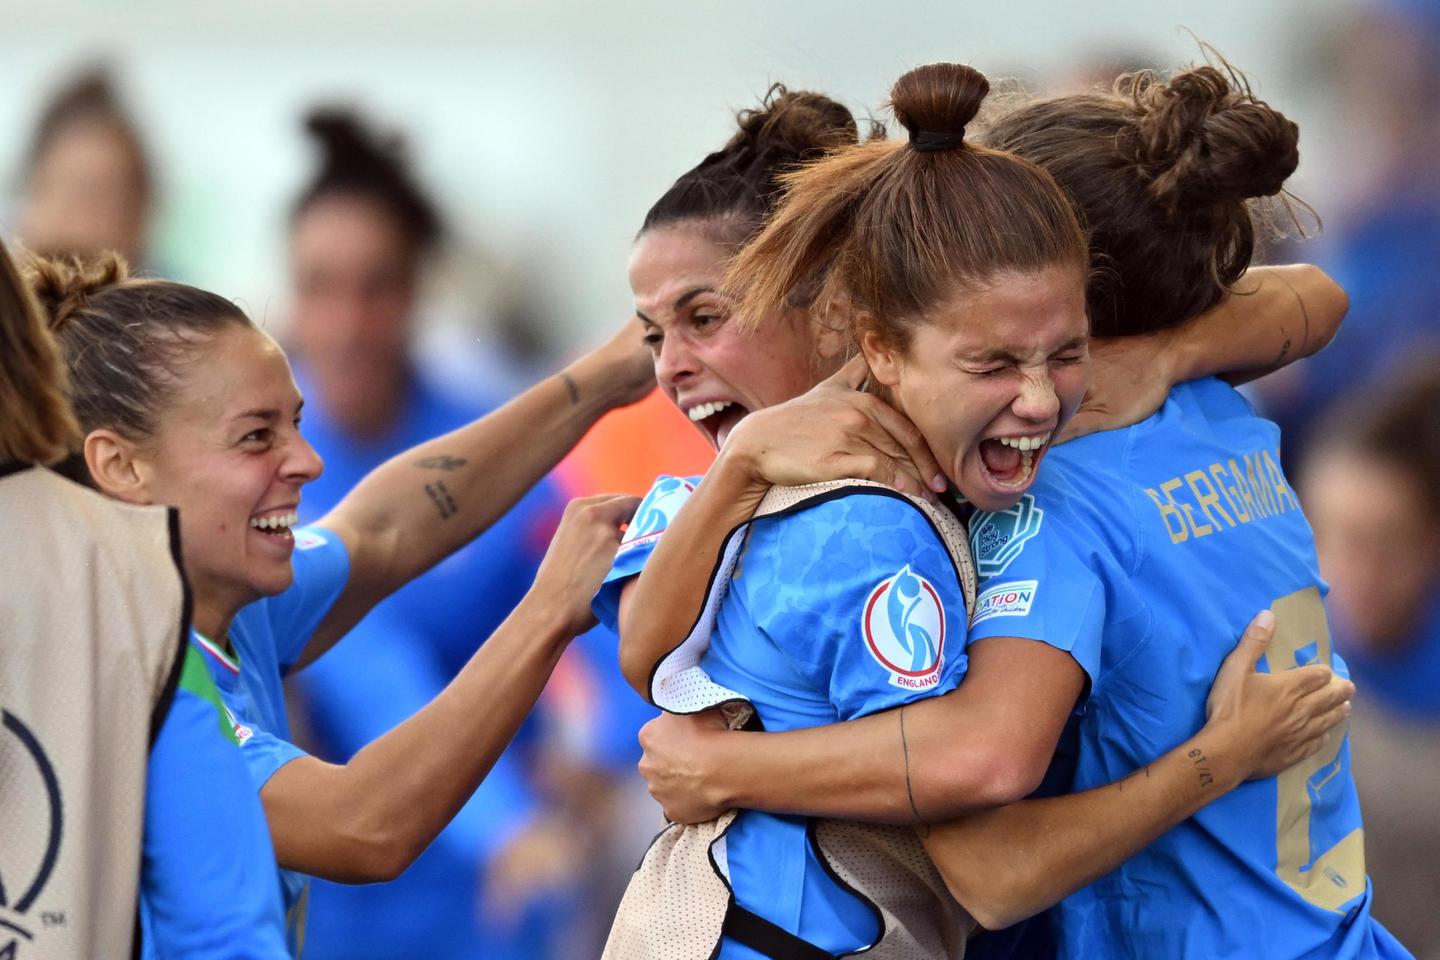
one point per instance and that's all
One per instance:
(185, 402)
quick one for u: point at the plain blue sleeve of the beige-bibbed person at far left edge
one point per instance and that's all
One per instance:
(210, 884)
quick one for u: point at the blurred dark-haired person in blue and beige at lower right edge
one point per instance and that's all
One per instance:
(1372, 486)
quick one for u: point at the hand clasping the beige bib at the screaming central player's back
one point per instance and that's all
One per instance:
(676, 765)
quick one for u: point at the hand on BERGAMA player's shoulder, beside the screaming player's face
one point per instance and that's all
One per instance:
(1130, 381)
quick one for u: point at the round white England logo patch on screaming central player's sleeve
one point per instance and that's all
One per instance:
(905, 630)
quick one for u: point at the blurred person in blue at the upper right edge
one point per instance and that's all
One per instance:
(1385, 240)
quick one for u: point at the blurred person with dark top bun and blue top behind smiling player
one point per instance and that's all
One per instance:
(364, 234)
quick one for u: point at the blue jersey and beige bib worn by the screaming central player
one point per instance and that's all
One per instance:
(843, 605)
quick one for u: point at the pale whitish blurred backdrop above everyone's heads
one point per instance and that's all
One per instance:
(548, 129)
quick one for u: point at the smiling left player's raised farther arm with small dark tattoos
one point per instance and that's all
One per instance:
(420, 507)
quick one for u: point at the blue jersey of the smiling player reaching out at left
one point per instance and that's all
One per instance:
(269, 638)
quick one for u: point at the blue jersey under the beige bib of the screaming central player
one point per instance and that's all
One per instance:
(840, 610)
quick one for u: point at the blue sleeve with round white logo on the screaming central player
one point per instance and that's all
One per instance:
(863, 598)
